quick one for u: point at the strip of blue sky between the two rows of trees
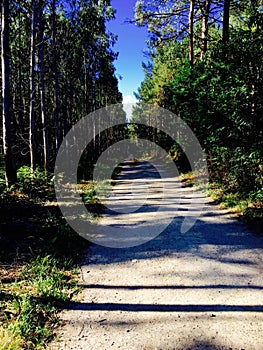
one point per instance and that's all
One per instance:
(130, 45)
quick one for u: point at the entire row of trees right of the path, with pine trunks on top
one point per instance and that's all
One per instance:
(205, 64)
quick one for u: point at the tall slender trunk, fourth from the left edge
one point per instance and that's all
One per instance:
(56, 78)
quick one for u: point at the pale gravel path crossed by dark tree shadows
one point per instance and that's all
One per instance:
(198, 290)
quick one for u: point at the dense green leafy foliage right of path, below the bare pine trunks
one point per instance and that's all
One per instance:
(220, 98)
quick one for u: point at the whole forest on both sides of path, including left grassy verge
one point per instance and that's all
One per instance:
(204, 63)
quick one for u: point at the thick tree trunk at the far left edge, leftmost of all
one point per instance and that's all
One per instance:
(7, 141)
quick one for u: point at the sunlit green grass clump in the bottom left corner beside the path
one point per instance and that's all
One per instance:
(33, 300)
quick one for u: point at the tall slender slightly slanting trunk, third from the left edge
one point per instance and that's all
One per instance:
(42, 88)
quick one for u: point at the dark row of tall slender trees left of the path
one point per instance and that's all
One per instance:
(57, 66)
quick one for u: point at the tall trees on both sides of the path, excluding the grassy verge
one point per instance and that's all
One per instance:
(204, 63)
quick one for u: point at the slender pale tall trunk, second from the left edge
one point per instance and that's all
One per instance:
(32, 84)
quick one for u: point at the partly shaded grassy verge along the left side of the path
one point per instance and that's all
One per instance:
(38, 256)
